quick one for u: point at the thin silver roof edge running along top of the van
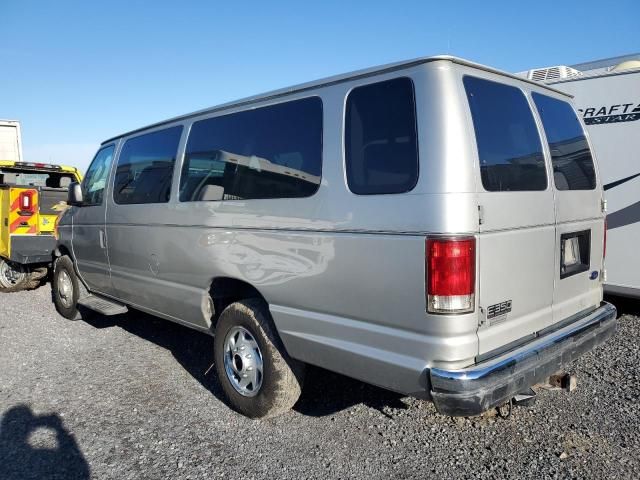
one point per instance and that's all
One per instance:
(335, 80)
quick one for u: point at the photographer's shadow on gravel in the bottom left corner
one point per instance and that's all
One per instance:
(37, 447)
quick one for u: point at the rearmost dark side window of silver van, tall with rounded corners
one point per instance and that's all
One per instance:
(381, 143)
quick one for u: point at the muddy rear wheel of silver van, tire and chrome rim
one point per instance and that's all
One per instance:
(257, 375)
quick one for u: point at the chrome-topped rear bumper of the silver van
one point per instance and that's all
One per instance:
(489, 384)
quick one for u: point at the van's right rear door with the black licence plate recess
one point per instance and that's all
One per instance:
(579, 212)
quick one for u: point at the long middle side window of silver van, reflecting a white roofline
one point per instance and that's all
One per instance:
(268, 152)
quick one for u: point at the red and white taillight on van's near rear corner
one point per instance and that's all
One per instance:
(451, 274)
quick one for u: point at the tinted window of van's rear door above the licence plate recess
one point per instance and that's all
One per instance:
(572, 162)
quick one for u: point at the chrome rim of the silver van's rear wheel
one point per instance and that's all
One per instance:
(243, 362)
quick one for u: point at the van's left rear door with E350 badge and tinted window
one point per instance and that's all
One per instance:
(517, 231)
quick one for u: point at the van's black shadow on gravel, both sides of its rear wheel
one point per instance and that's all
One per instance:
(324, 393)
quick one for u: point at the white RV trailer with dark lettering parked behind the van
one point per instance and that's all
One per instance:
(607, 94)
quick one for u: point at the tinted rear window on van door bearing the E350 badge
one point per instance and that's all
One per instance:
(509, 145)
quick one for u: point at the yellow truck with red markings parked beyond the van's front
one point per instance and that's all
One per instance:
(32, 195)
